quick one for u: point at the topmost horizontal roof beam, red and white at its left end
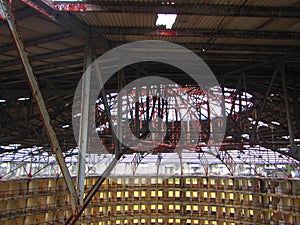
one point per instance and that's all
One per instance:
(180, 8)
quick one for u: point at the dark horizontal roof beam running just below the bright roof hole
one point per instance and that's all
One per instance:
(181, 32)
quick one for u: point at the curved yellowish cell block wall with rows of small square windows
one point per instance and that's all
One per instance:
(153, 200)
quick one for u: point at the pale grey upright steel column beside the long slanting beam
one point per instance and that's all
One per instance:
(84, 120)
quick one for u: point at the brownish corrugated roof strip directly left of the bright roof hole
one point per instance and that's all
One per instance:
(118, 19)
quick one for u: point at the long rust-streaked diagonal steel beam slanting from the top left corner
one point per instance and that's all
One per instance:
(39, 100)
